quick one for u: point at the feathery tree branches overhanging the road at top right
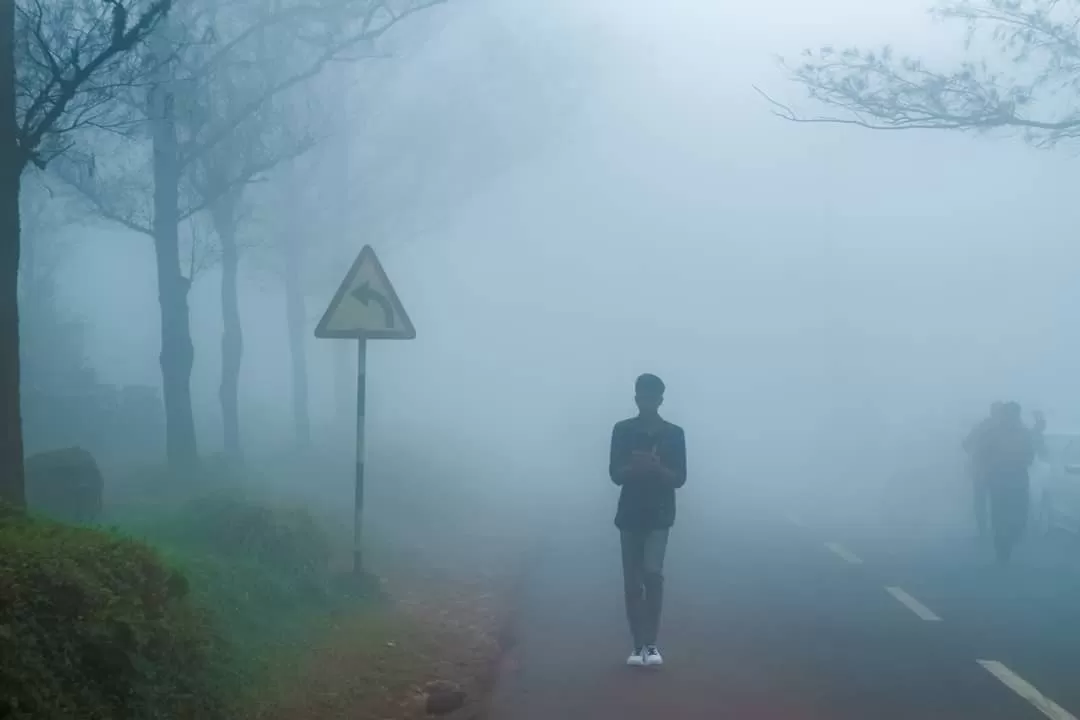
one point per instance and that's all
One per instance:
(1037, 94)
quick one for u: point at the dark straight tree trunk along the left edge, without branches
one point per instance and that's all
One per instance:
(12, 486)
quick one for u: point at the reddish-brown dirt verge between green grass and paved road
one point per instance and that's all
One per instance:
(442, 626)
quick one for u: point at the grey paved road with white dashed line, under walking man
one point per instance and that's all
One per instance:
(771, 616)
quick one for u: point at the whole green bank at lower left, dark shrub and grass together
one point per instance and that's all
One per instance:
(179, 610)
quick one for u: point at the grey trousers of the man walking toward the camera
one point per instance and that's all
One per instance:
(643, 565)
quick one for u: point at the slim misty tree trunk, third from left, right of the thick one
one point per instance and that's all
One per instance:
(233, 339)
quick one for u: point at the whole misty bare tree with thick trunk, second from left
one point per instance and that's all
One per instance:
(196, 52)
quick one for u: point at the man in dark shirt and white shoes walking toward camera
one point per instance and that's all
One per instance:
(649, 463)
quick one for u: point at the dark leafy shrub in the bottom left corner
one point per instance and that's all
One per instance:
(97, 627)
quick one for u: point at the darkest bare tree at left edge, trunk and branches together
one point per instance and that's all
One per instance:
(61, 62)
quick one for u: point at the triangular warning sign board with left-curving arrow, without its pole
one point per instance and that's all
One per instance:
(367, 306)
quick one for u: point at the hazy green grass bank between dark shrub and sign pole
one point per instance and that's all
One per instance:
(262, 574)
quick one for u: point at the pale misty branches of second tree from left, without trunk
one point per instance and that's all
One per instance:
(220, 118)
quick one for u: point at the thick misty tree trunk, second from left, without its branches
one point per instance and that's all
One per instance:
(178, 354)
